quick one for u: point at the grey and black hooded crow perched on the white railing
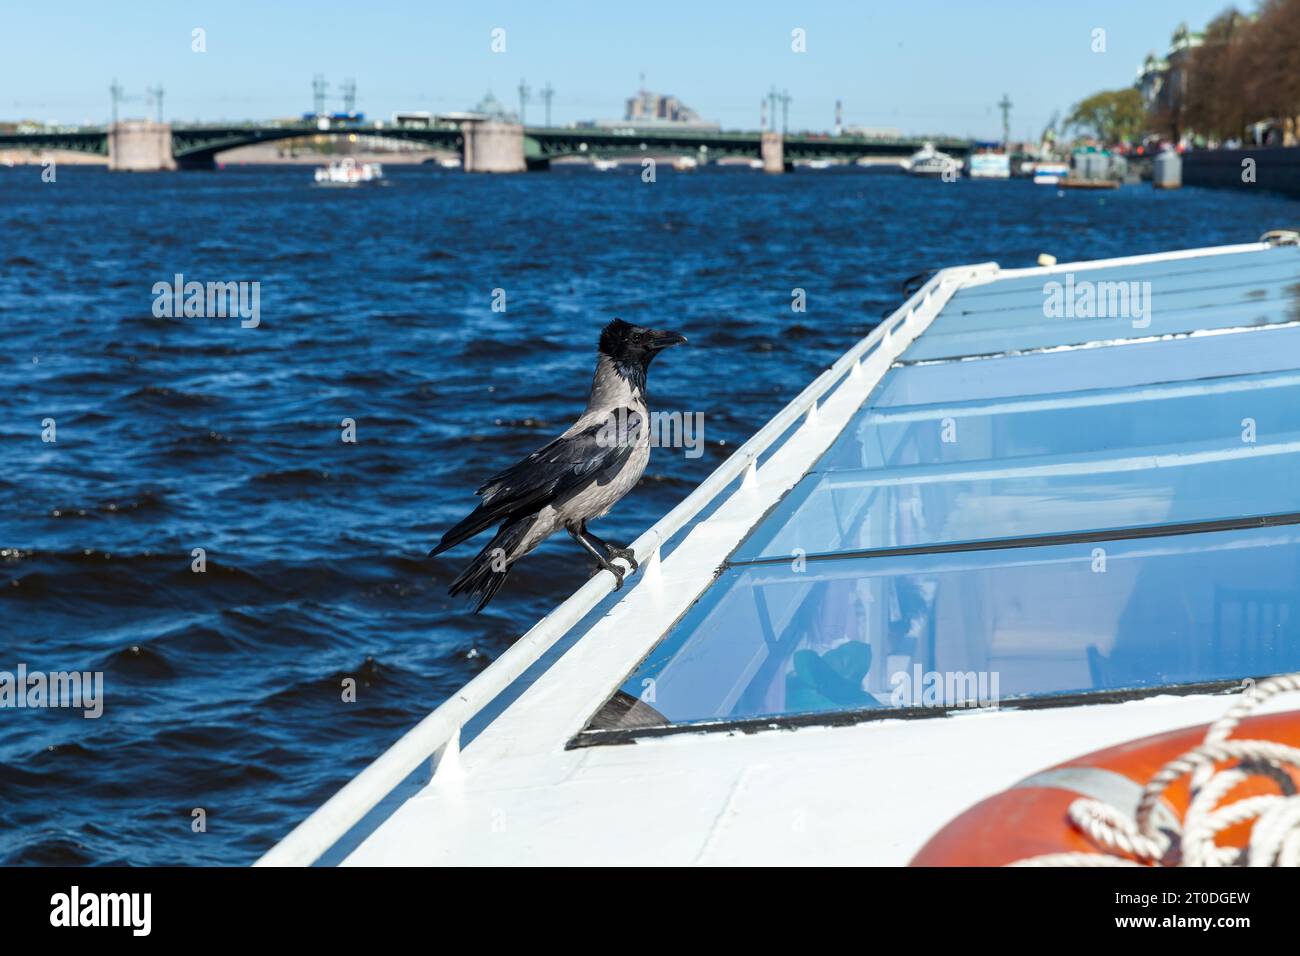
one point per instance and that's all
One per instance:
(575, 479)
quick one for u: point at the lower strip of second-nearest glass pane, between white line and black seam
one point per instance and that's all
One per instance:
(911, 508)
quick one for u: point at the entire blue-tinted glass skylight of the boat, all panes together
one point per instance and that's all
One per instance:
(1024, 531)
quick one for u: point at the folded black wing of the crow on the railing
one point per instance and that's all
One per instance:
(551, 473)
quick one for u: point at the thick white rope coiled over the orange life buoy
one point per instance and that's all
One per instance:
(1139, 842)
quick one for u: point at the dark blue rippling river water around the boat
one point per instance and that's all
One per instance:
(224, 689)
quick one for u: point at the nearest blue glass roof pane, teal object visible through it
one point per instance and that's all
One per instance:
(933, 630)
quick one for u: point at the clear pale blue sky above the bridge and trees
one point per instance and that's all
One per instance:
(921, 66)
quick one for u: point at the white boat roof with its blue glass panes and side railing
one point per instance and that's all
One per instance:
(1035, 513)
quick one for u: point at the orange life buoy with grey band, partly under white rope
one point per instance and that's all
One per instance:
(1032, 817)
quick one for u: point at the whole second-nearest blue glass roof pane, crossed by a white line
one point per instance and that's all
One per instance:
(1050, 465)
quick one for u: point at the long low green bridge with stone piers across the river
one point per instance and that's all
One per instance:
(486, 146)
